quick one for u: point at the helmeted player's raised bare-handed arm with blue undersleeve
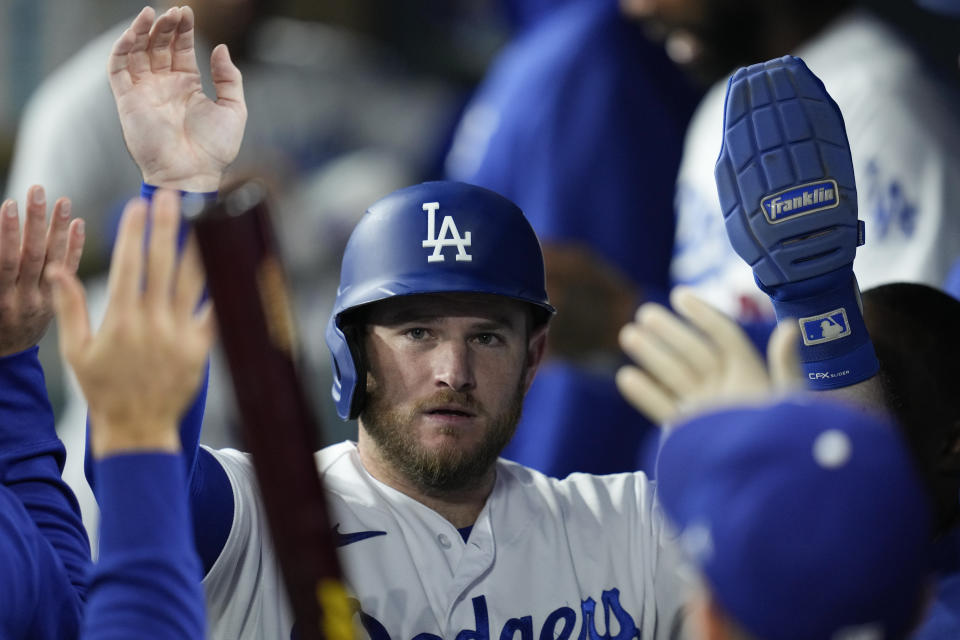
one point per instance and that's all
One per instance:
(181, 139)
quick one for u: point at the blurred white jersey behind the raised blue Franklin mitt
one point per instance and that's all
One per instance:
(904, 136)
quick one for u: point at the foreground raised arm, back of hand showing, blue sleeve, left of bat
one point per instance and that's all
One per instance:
(138, 372)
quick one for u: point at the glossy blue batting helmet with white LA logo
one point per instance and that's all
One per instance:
(435, 237)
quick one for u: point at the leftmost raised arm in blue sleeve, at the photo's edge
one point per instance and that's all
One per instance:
(31, 455)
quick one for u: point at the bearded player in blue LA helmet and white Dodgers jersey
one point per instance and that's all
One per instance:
(438, 328)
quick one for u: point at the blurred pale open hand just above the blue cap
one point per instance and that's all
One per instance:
(699, 360)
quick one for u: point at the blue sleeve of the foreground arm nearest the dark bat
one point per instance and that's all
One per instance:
(147, 579)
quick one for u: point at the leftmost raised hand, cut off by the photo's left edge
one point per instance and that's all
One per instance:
(26, 303)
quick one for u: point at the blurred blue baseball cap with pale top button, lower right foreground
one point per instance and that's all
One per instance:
(806, 518)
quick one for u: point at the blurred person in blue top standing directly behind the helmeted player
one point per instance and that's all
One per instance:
(580, 121)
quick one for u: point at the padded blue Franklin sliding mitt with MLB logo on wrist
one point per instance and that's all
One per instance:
(789, 200)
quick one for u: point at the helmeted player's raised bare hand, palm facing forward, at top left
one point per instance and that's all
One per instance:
(178, 137)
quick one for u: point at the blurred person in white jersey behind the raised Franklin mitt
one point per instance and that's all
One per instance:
(900, 119)
